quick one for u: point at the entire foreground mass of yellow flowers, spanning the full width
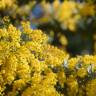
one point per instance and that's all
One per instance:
(29, 66)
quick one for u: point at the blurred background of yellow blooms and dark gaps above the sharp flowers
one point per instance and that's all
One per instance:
(69, 24)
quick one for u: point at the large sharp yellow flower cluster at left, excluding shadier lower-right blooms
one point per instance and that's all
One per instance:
(27, 61)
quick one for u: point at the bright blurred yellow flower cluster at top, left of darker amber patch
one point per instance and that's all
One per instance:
(67, 13)
